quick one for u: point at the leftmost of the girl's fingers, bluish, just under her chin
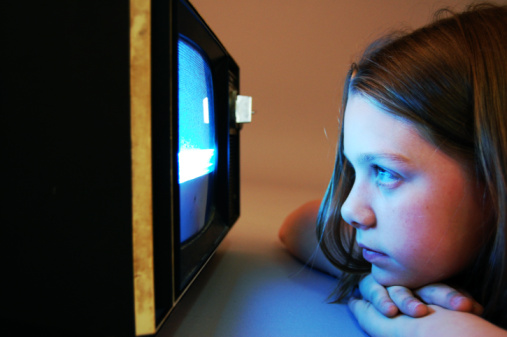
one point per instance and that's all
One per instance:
(377, 295)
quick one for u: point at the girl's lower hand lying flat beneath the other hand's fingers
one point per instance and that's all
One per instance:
(439, 322)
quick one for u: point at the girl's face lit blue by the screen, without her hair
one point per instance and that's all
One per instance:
(417, 211)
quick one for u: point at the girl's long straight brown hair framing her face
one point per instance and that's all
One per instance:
(449, 79)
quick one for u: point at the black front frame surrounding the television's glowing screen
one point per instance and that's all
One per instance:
(187, 259)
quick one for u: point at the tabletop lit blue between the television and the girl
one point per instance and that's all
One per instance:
(253, 287)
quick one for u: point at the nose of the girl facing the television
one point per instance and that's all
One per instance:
(356, 210)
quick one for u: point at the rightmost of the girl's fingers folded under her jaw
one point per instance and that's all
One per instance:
(449, 298)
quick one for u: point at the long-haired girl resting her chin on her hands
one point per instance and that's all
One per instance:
(419, 191)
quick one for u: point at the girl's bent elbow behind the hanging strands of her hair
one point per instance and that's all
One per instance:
(298, 235)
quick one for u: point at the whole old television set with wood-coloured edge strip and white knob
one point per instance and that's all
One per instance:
(120, 131)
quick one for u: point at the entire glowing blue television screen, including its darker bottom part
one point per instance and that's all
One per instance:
(197, 143)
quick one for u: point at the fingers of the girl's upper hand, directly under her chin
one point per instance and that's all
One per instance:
(392, 300)
